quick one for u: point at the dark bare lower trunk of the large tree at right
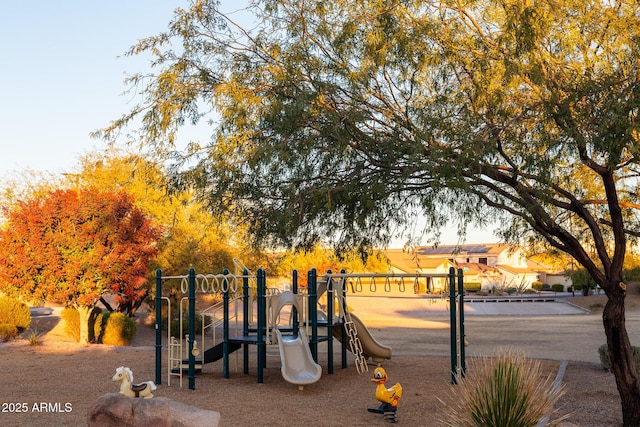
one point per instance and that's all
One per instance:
(621, 354)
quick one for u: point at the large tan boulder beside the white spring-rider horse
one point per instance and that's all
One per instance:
(115, 409)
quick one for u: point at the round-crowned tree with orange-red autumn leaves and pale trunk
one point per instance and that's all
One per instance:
(73, 247)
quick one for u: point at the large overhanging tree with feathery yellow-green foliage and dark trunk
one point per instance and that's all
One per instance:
(342, 119)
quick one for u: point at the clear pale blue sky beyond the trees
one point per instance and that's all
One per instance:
(62, 74)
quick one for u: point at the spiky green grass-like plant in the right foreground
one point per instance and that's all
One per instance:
(508, 390)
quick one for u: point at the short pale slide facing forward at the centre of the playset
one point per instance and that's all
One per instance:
(298, 366)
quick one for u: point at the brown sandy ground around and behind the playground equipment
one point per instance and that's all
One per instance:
(53, 384)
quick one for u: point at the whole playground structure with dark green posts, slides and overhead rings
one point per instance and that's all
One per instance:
(250, 313)
